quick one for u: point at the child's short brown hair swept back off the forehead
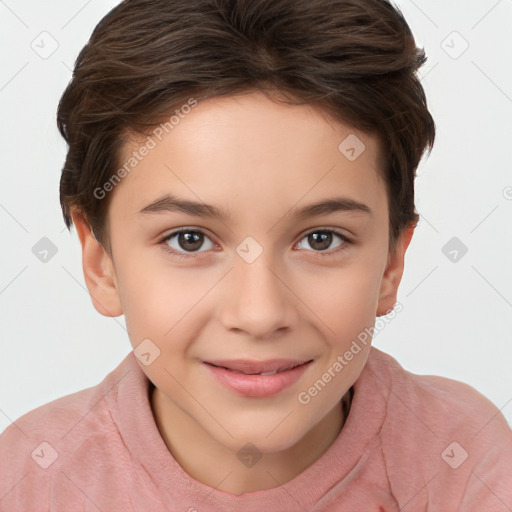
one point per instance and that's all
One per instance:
(354, 59)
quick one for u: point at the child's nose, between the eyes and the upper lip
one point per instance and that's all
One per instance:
(257, 300)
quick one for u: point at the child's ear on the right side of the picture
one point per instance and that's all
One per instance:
(393, 273)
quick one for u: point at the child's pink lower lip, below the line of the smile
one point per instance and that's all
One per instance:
(258, 385)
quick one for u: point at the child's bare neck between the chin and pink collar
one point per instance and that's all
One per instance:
(213, 464)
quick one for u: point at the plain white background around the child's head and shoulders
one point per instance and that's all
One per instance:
(457, 316)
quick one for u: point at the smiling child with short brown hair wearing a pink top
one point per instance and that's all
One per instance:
(280, 140)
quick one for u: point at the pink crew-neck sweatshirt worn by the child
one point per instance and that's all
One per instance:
(410, 443)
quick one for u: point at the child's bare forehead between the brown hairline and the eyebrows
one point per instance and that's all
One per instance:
(249, 152)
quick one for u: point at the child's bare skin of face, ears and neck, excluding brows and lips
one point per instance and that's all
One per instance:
(257, 159)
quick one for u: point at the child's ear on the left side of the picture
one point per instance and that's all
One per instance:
(98, 270)
